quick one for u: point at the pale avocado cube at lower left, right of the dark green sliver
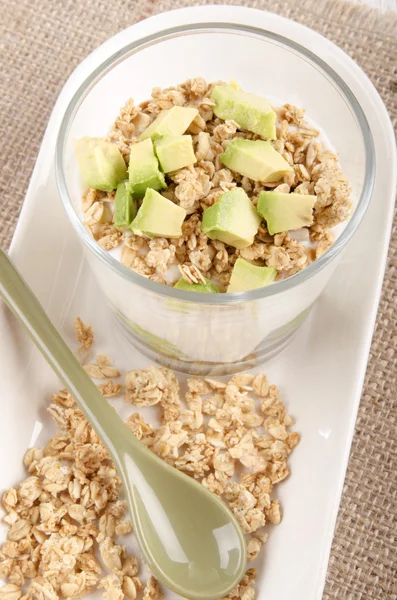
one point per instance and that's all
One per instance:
(158, 217)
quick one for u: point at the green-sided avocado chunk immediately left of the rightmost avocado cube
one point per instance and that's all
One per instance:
(233, 219)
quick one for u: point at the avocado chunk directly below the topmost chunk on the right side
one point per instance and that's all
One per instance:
(257, 160)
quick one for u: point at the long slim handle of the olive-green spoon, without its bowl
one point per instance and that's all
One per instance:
(24, 304)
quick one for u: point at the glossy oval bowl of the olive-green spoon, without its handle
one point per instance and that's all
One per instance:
(185, 533)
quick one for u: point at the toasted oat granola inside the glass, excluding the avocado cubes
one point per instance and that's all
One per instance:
(194, 256)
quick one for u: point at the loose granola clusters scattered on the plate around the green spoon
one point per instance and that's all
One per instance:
(65, 520)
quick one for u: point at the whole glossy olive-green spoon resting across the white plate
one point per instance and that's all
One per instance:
(190, 540)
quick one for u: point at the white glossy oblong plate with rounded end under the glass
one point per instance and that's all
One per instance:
(320, 374)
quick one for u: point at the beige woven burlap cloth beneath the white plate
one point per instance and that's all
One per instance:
(42, 41)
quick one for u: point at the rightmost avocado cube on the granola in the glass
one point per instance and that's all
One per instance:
(284, 212)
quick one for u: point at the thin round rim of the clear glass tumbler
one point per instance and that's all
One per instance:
(223, 298)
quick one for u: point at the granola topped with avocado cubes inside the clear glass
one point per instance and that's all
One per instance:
(204, 175)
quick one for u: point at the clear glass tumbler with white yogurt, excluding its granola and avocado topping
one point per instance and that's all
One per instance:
(215, 333)
